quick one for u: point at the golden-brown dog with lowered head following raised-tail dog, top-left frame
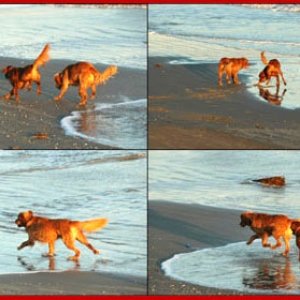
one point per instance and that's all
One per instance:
(84, 75)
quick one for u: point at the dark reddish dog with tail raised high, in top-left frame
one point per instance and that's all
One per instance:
(23, 77)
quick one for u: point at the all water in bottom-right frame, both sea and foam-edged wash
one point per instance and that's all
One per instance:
(223, 179)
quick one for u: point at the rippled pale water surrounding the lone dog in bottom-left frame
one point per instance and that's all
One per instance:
(79, 185)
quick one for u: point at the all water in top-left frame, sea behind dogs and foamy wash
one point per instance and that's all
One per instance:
(99, 34)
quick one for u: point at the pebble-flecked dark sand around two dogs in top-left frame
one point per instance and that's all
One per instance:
(21, 122)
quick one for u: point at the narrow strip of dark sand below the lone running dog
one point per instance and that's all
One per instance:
(71, 283)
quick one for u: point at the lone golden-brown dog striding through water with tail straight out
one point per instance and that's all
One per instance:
(49, 230)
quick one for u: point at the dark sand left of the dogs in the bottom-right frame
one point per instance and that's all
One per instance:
(178, 228)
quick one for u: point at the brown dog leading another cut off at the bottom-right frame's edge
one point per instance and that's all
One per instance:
(265, 225)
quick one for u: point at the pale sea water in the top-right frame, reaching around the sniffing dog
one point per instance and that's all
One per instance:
(205, 33)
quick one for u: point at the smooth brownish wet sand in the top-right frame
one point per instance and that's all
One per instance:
(187, 110)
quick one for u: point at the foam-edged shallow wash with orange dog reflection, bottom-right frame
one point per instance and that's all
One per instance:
(236, 266)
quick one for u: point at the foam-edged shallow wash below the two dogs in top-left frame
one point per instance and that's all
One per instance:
(121, 124)
